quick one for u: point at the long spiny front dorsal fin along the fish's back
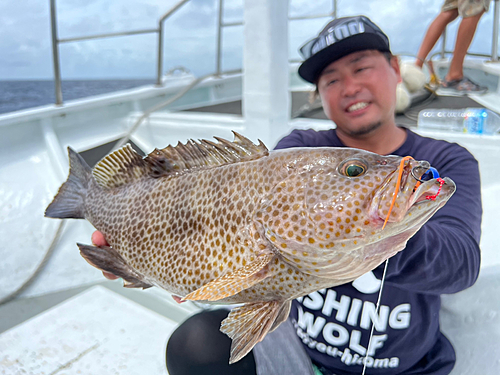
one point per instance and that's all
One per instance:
(203, 154)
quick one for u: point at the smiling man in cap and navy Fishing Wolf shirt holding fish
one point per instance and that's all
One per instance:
(355, 75)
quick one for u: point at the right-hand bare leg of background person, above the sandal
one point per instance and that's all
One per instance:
(465, 34)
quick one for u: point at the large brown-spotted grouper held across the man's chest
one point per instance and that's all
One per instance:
(232, 223)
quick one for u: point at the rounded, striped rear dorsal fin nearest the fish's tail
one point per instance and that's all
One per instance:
(120, 167)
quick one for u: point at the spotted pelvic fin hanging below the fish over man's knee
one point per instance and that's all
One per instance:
(247, 325)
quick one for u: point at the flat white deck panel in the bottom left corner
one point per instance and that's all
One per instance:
(97, 330)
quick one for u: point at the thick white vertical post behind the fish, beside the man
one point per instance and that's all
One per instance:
(266, 99)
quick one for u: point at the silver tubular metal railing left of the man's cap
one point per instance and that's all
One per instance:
(159, 30)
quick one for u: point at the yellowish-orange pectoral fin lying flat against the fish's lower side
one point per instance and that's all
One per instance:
(233, 282)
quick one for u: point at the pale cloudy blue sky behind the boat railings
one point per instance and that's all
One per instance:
(190, 34)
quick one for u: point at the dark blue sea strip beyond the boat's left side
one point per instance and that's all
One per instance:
(17, 95)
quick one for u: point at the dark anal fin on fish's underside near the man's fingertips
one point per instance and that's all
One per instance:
(109, 260)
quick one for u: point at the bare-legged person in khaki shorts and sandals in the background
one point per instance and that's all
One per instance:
(471, 12)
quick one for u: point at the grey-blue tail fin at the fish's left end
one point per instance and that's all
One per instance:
(70, 199)
